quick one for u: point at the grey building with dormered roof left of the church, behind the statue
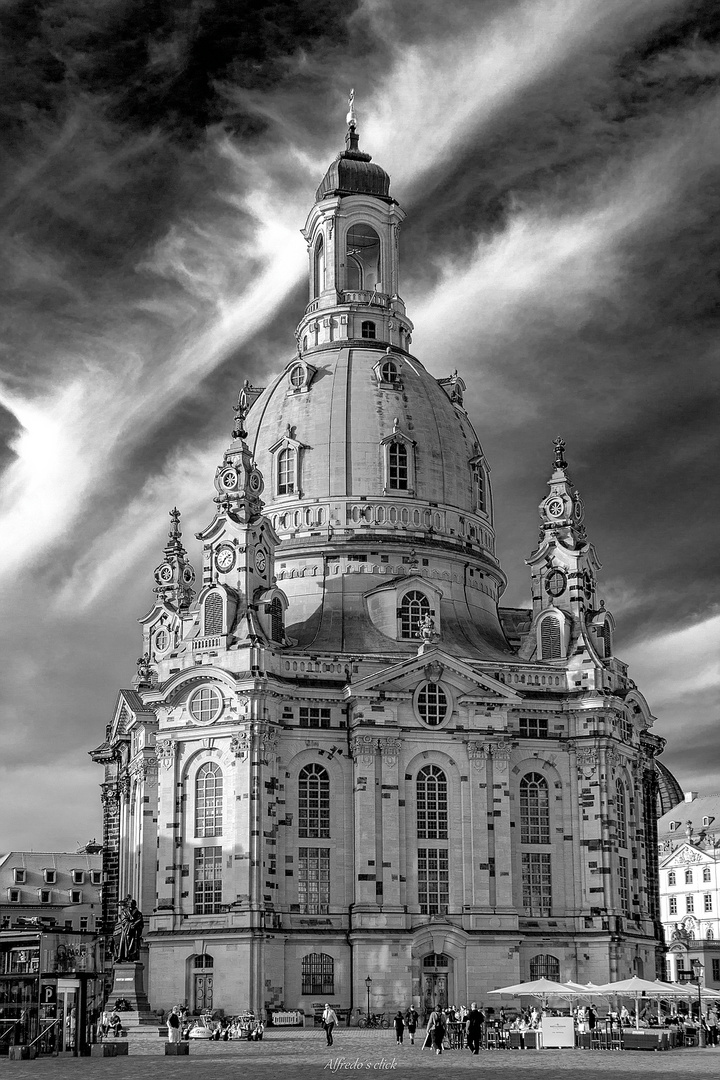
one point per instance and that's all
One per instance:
(62, 888)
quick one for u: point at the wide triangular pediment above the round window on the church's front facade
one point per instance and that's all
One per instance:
(473, 685)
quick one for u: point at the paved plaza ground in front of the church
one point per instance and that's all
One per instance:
(303, 1056)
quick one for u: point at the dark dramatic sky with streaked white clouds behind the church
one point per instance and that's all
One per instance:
(560, 163)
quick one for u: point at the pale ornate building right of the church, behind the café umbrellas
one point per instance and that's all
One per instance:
(689, 841)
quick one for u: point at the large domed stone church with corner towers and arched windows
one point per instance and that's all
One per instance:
(345, 773)
